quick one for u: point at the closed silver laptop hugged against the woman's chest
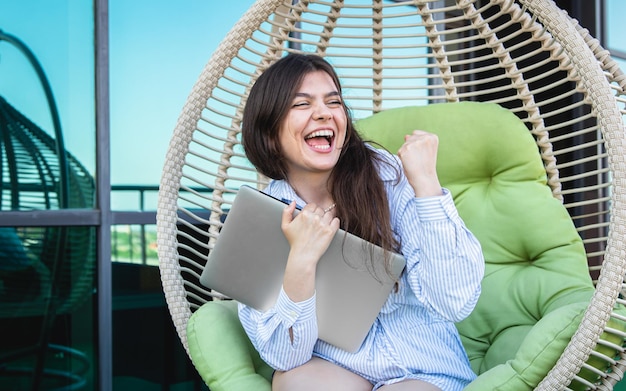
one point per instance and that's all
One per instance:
(249, 259)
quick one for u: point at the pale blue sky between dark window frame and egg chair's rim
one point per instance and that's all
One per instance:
(158, 49)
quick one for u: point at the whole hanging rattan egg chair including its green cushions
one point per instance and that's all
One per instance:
(518, 89)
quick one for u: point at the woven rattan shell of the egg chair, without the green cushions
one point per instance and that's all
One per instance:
(527, 56)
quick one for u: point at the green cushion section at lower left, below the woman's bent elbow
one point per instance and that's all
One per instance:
(221, 351)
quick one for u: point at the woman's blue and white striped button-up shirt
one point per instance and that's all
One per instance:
(414, 336)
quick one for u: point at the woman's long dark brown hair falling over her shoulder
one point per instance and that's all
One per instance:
(354, 183)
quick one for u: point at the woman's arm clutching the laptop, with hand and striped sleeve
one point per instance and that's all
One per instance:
(286, 334)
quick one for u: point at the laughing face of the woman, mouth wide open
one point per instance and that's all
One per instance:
(312, 134)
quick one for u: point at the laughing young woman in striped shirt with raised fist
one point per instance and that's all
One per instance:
(297, 131)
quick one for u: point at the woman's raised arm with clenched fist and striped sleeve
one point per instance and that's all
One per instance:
(444, 260)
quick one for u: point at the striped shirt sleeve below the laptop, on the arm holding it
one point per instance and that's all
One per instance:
(284, 335)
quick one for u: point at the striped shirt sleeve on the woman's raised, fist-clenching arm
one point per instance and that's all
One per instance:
(445, 265)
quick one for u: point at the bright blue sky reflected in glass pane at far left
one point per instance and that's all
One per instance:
(46, 30)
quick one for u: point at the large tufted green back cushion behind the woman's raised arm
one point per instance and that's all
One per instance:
(536, 282)
